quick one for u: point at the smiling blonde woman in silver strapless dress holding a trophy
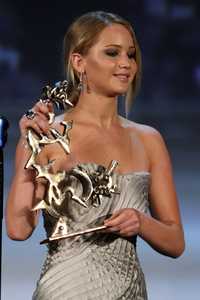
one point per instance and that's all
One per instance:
(102, 61)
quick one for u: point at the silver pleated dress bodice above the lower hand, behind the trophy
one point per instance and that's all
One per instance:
(133, 193)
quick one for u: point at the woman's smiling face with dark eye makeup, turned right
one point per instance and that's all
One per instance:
(110, 64)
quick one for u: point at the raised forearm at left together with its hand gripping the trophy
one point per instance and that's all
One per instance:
(20, 219)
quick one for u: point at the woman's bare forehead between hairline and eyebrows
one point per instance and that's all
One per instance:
(115, 34)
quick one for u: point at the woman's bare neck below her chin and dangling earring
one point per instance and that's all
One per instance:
(97, 109)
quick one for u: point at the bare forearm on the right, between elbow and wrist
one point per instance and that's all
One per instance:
(165, 237)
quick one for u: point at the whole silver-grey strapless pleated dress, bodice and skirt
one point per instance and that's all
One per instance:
(97, 265)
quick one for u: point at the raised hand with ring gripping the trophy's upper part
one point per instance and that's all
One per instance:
(40, 122)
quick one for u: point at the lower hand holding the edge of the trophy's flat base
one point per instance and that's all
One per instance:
(125, 222)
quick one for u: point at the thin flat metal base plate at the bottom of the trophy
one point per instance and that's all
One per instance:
(72, 234)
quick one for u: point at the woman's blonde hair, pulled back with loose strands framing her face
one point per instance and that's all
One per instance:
(82, 35)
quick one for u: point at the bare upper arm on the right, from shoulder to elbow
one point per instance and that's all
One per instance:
(163, 197)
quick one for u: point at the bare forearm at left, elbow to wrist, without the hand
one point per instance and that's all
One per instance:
(20, 220)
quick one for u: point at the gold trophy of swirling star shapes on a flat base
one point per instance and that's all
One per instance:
(60, 189)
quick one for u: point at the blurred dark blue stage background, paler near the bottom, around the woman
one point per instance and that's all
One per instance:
(31, 34)
